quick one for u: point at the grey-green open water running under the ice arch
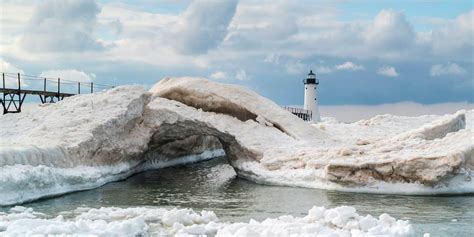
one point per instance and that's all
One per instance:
(213, 185)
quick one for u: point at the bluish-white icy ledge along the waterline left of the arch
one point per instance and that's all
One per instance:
(24, 183)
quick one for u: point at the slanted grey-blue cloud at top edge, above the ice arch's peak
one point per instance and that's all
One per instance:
(203, 26)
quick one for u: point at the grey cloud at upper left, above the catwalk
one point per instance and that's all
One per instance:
(62, 26)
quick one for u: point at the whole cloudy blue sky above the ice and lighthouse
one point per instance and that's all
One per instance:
(364, 52)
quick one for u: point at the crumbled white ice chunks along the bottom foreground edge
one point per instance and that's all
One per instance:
(111, 221)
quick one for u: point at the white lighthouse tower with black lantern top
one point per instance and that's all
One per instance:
(311, 100)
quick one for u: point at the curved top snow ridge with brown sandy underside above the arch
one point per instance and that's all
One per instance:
(232, 100)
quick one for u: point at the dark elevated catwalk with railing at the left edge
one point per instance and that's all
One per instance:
(16, 86)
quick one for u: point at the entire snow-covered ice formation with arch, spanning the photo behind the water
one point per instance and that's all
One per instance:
(88, 140)
